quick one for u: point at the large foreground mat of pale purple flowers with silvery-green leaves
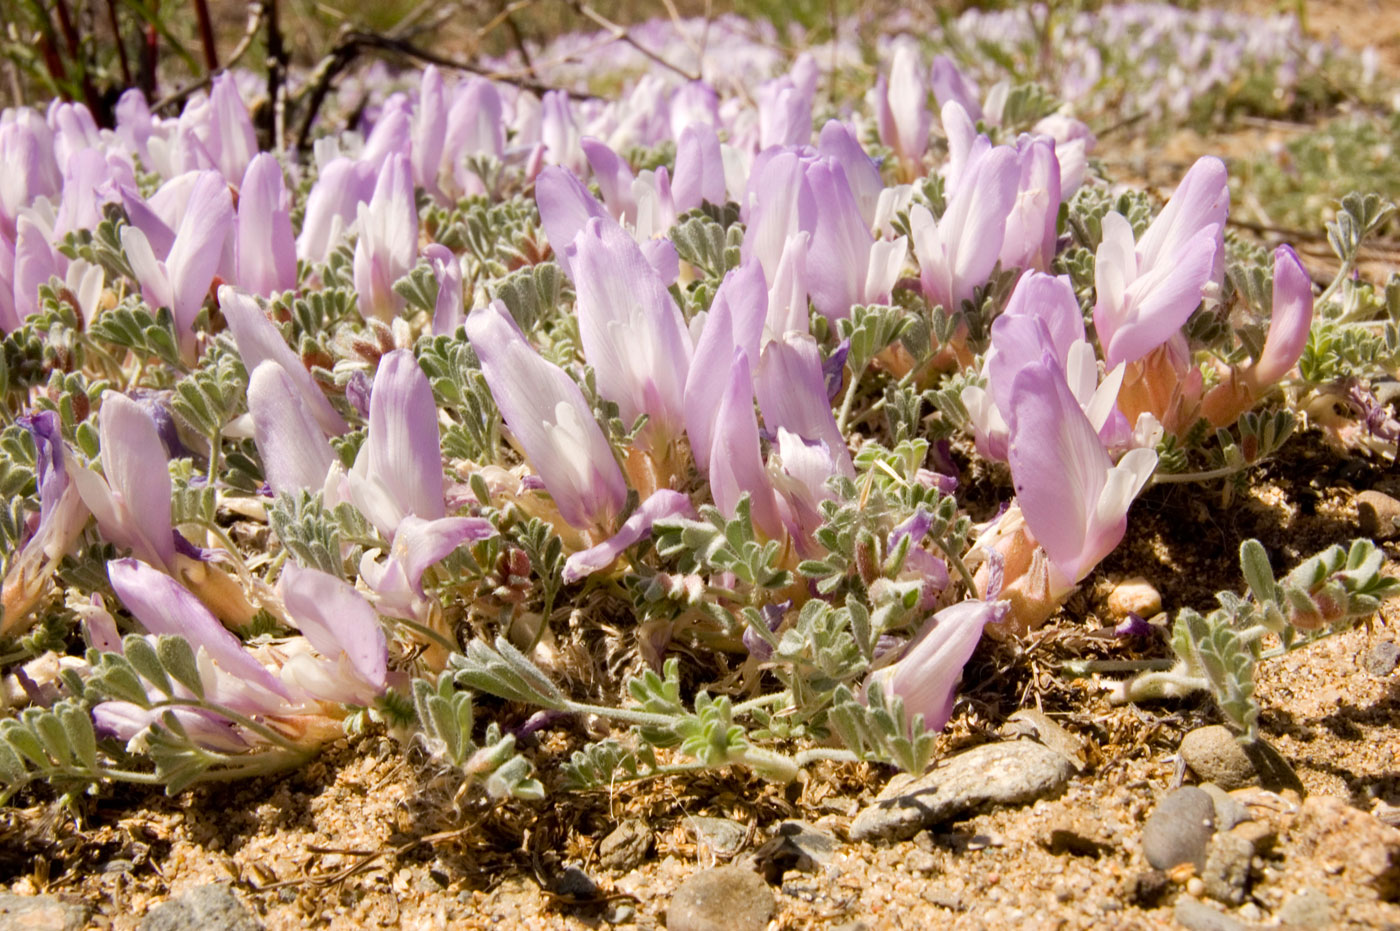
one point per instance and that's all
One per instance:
(689, 355)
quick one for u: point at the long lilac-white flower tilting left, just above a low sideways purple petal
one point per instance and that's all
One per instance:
(551, 421)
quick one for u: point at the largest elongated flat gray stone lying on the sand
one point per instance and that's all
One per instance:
(988, 776)
